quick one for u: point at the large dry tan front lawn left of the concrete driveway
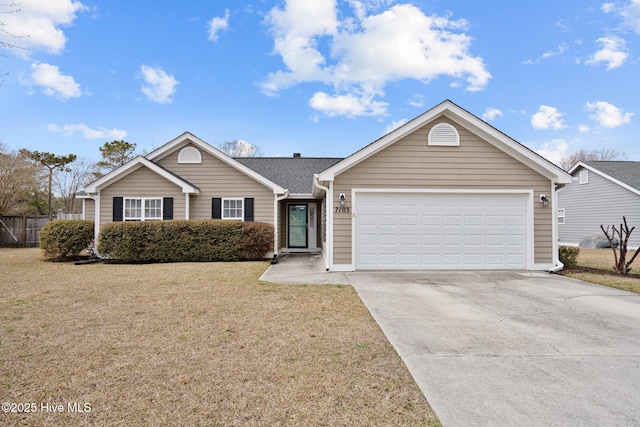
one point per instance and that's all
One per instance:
(192, 344)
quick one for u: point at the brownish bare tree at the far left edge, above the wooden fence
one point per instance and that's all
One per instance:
(18, 180)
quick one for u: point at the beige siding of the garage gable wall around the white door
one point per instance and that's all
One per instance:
(474, 165)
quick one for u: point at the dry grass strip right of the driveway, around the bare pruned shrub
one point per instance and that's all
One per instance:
(596, 266)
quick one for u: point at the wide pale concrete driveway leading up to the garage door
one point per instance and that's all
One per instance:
(512, 348)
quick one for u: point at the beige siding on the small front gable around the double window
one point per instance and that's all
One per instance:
(141, 183)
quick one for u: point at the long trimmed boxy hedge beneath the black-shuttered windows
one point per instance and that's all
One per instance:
(185, 241)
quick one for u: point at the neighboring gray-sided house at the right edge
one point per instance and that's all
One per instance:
(602, 192)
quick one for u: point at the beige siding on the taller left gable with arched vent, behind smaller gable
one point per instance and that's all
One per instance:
(215, 178)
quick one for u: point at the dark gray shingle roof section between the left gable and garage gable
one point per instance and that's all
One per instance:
(292, 173)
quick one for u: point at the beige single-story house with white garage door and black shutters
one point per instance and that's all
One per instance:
(444, 191)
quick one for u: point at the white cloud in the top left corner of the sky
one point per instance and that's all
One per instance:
(37, 23)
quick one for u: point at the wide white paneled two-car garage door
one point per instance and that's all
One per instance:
(440, 231)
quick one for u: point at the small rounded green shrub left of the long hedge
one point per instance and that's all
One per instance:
(66, 238)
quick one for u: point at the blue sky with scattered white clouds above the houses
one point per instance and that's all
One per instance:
(320, 77)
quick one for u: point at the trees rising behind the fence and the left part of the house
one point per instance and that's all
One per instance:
(42, 183)
